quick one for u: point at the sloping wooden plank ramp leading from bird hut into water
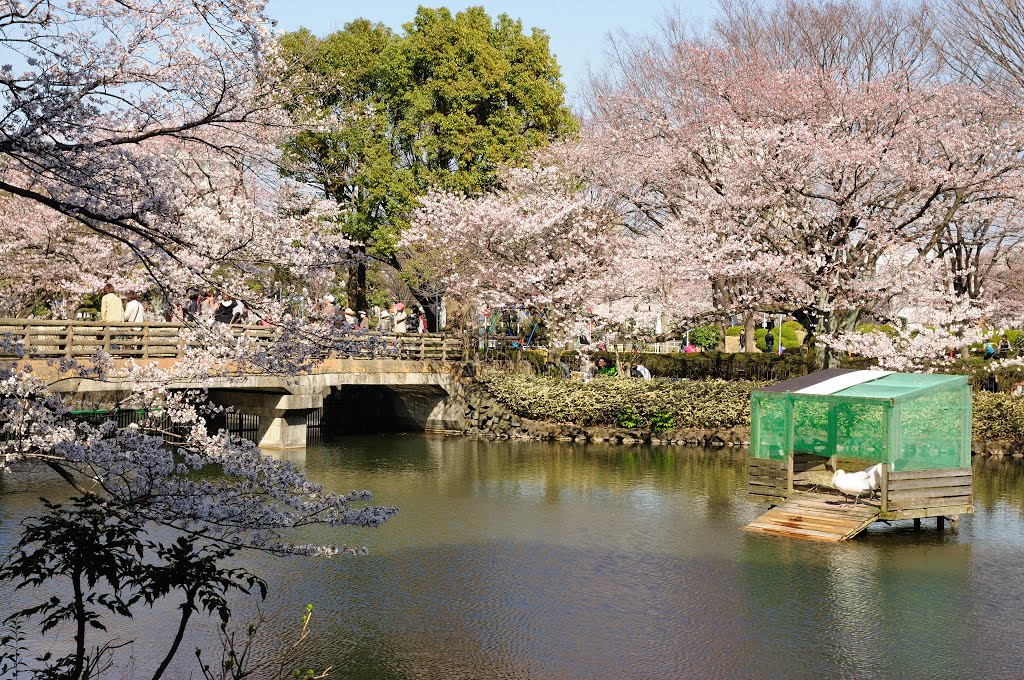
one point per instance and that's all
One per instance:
(817, 517)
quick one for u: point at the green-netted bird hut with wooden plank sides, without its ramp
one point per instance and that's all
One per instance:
(918, 426)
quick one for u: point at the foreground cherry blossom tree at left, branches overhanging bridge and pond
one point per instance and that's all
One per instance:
(147, 131)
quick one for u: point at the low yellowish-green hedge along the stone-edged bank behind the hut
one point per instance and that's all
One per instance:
(690, 404)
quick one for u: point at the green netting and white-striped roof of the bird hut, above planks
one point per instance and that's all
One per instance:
(910, 421)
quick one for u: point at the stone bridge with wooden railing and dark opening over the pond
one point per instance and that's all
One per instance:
(408, 382)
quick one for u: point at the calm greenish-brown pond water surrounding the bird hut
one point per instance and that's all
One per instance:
(517, 560)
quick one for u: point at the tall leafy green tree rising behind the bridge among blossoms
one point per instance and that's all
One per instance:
(443, 105)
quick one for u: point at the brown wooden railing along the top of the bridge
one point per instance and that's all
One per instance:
(41, 339)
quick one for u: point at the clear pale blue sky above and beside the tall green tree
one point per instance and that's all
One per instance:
(578, 28)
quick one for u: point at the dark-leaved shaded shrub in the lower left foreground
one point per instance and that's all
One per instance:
(101, 567)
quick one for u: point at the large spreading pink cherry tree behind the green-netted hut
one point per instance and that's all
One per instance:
(804, 178)
